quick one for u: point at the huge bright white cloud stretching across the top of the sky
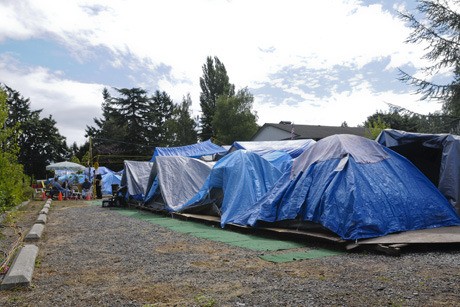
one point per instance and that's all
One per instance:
(181, 34)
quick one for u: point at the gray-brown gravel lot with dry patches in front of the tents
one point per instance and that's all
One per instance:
(94, 256)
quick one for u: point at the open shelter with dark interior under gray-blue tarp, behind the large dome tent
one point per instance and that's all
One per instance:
(436, 155)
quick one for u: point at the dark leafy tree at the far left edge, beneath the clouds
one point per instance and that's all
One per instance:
(39, 141)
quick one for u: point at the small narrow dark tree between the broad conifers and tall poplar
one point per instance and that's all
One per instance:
(182, 127)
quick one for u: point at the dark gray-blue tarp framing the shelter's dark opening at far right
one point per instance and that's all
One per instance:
(449, 170)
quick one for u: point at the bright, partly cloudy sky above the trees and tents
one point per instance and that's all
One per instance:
(308, 62)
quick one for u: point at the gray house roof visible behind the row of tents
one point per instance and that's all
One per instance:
(312, 131)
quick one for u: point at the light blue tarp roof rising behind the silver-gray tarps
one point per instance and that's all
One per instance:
(206, 148)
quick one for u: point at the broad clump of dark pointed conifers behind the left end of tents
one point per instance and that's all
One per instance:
(132, 124)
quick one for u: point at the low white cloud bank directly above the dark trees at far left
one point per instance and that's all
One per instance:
(72, 104)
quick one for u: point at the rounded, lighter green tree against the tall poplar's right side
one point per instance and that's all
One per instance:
(233, 119)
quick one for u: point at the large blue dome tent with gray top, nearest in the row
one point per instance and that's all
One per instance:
(356, 188)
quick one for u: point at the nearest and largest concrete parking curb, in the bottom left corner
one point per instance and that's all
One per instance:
(21, 271)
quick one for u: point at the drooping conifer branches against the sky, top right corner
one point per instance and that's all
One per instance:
(440, 29)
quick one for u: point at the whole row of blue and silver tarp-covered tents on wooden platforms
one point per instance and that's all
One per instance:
(355, 187)
